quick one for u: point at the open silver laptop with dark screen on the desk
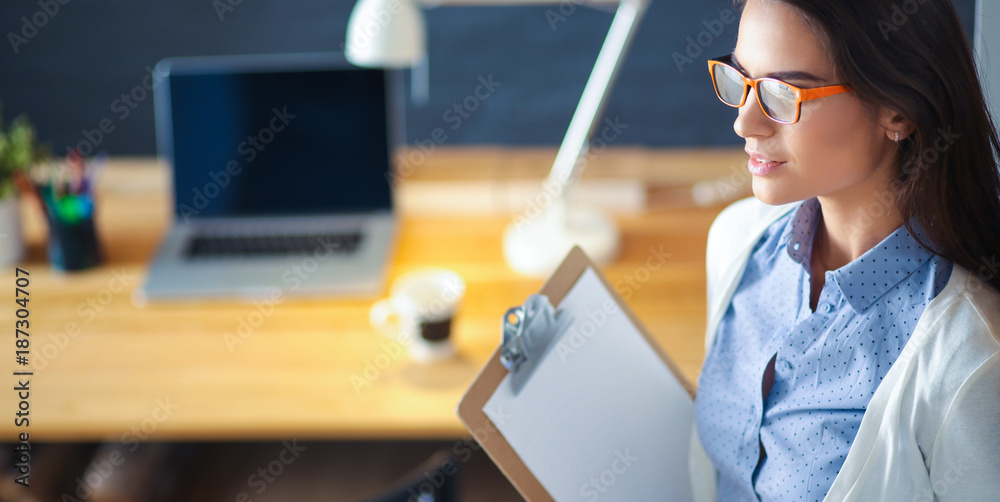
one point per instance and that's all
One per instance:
(279, 168)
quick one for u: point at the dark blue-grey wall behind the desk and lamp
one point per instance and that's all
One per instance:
(73, 70)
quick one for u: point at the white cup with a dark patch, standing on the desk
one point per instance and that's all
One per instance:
(418, 312)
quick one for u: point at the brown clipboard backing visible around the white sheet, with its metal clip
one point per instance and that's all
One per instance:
(471, 408)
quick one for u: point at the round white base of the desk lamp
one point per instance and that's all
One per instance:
(536, 247)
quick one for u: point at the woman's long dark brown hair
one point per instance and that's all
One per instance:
(914, 58)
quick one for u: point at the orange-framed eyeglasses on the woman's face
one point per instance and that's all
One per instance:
(780, 101)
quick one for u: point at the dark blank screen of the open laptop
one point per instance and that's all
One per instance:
(278, 141)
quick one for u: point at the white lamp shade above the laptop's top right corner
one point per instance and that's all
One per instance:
(385, 33)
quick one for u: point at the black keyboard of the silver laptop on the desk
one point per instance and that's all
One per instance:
(212, 246)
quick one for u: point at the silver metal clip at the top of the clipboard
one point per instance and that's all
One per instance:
(528, 332)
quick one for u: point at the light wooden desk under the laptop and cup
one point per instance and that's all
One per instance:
(166, 371)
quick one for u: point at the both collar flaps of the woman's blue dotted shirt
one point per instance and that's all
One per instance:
(870, 276)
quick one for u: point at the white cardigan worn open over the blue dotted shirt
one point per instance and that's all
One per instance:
(932, 428)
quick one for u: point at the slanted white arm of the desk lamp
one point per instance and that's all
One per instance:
(572, 154)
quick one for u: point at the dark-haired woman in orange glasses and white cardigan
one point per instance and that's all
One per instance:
(853, 348)
